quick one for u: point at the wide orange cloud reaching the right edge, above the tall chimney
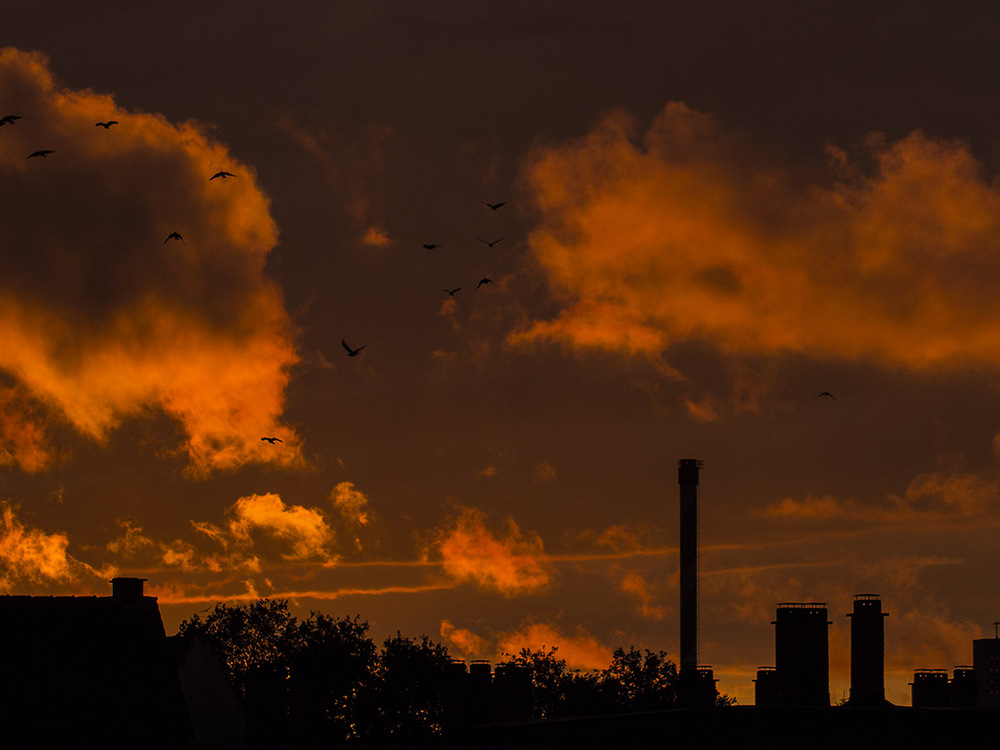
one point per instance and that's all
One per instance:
(689, 237)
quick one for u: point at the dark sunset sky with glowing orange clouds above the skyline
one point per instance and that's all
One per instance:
(713, 212)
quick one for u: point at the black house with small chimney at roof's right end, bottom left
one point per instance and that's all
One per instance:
(89, 670)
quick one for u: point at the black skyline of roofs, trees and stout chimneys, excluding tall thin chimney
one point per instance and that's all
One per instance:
(101, 669)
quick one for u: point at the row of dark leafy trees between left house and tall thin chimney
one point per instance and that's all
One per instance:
(322, 681)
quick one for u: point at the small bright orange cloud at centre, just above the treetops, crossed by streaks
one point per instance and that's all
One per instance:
(511, 563)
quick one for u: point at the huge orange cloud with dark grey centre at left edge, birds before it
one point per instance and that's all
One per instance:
(102, 319)
